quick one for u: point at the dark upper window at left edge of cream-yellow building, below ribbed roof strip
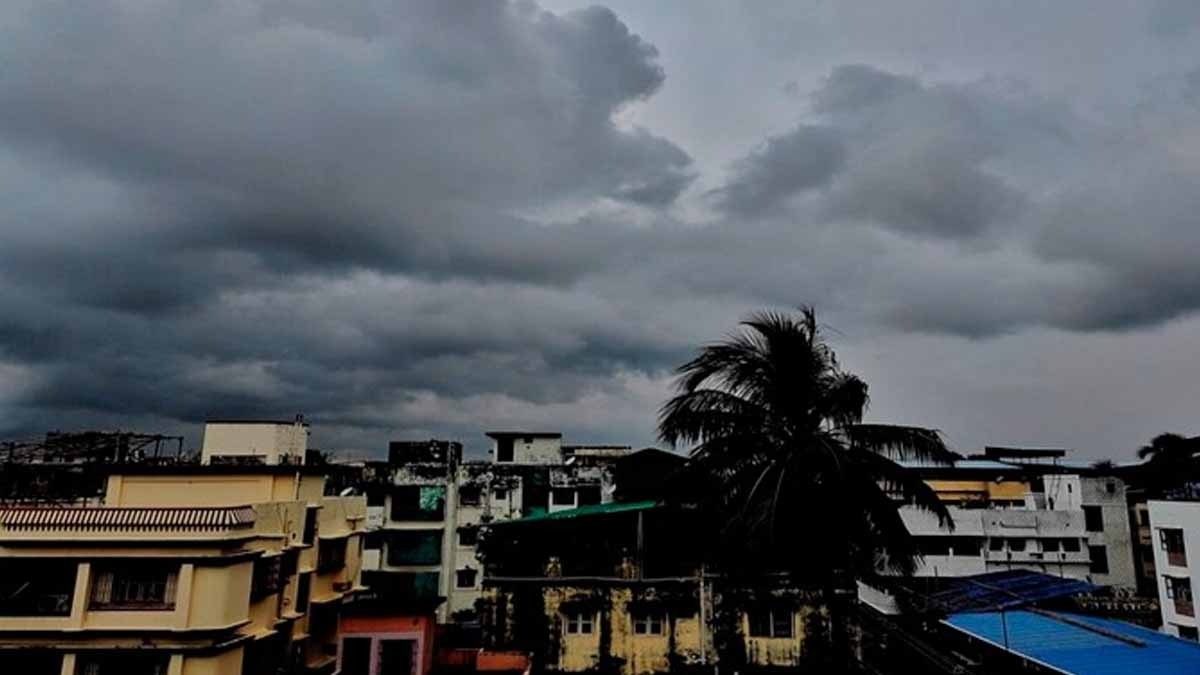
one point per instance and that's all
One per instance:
(37, 588)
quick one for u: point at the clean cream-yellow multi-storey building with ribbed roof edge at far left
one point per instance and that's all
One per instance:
(183, 571)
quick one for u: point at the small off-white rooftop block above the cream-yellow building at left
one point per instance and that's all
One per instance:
(271, 441)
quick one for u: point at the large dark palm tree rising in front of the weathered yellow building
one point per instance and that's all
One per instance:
(802, 485)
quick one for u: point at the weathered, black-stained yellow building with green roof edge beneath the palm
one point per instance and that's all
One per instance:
(619, 589)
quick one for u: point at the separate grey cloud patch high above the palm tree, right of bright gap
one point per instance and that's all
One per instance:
(897, 153)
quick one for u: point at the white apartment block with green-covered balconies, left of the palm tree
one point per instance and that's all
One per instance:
(430, 518)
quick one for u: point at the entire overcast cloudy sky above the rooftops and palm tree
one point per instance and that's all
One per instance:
(416, 219)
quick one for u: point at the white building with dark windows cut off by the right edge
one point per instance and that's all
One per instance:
(1177, 533)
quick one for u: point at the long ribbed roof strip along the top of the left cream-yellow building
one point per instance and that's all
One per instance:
(125, 518)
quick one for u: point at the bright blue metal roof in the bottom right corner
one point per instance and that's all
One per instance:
(1083, 646)
